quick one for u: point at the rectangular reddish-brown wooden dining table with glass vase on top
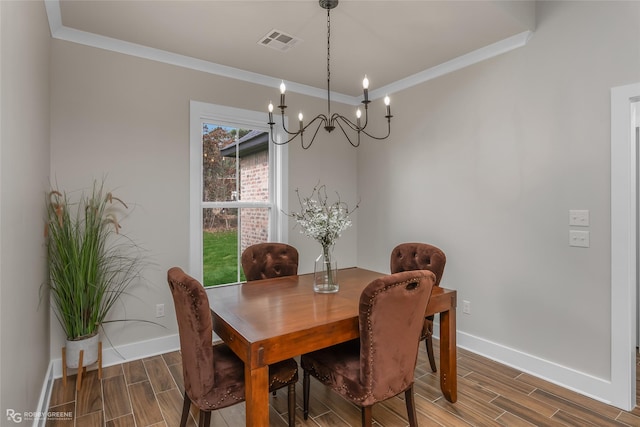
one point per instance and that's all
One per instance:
(266, 321)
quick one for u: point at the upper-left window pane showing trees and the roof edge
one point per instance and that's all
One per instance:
(218, 170)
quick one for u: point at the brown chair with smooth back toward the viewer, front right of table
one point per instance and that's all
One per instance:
(381, 363)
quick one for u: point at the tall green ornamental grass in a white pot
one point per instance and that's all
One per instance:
(91, 265)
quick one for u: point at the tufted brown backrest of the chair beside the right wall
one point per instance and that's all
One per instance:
(418, 256)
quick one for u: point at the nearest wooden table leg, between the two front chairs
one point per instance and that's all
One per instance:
(257, 395)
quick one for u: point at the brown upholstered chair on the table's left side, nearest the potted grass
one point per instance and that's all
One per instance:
(213, 374)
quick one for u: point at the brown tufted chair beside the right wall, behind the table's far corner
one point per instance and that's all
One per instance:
(421, 256)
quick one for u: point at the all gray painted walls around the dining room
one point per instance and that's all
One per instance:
(484, 162)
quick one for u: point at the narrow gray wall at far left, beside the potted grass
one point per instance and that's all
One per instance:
(24, 179)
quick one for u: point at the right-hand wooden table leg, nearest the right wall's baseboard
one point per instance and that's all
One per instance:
(448, 355)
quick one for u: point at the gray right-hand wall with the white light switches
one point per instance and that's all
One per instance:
(486, 163)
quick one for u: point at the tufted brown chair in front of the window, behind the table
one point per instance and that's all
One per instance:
(269, 260)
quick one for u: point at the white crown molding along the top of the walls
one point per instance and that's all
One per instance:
(60, 32)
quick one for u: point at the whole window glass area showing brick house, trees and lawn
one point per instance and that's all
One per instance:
(235, 167)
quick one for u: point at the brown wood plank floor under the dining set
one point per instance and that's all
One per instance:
(148, 393)
